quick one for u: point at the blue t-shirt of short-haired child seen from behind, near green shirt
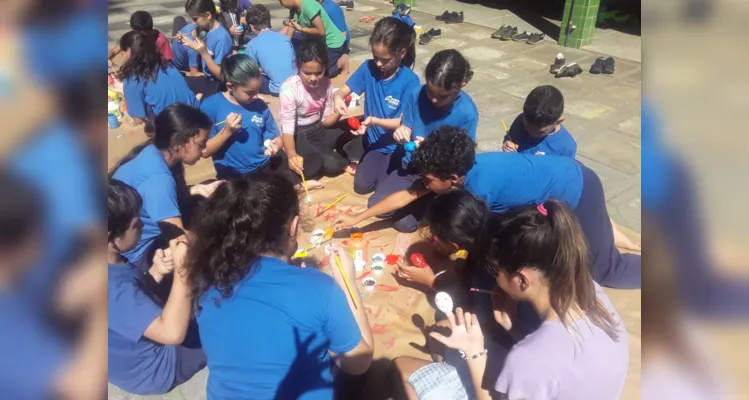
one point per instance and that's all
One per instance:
(274, 53)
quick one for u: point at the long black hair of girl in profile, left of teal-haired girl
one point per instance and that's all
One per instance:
(174, 126)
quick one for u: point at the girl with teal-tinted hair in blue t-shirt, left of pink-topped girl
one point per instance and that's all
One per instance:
(245, 137)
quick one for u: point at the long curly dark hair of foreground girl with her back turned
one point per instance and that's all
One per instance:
(245, 218)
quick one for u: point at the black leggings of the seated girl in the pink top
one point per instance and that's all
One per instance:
(331, 149)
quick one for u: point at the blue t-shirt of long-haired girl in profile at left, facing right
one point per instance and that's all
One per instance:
(149, 174)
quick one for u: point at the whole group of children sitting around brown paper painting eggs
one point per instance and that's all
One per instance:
(214, 260)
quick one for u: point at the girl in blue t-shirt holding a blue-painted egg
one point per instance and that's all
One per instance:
(438, 103)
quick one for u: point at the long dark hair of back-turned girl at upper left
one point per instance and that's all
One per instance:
(145, 59)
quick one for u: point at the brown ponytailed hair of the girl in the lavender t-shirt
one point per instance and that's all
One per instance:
(548, 238)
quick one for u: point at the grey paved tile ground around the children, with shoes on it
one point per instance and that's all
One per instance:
(603, 111)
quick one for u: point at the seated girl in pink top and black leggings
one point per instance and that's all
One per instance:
(311, 140)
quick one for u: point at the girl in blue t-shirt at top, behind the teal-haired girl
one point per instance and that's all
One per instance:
(213, 44)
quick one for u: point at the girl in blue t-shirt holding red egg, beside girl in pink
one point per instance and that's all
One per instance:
(386, 79)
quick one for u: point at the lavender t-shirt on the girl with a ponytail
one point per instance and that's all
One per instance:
(579, 364)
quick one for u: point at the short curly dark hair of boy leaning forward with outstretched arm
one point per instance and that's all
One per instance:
(446, 151)
